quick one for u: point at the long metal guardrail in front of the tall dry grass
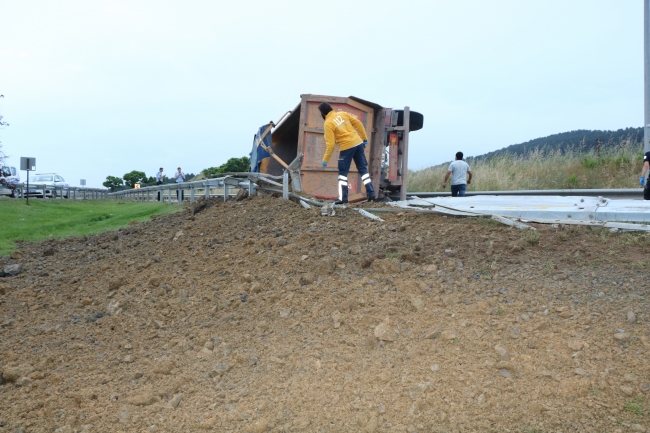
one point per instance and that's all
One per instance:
(613, 194)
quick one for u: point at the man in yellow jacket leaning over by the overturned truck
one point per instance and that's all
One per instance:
(348, 132)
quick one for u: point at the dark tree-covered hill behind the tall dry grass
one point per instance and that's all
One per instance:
(581, 139)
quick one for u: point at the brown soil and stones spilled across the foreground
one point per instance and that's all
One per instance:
(260, 315)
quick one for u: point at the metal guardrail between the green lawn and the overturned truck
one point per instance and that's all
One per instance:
(202, 188)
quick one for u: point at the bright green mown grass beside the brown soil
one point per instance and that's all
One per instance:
(43, 219)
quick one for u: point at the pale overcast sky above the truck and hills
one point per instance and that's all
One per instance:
(97, 88)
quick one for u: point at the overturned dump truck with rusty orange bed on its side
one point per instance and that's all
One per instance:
(296, 145)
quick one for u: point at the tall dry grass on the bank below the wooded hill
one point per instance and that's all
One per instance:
(616, 166)
